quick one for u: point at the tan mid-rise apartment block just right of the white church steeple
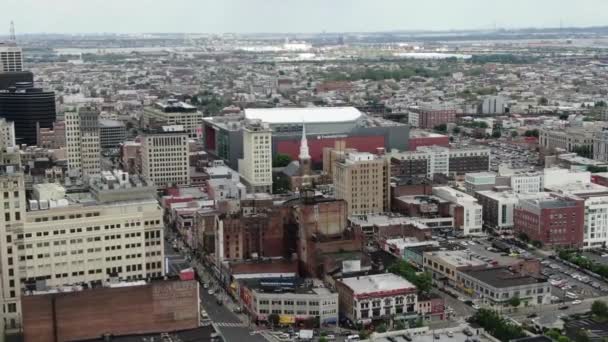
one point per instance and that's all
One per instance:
(363, 181)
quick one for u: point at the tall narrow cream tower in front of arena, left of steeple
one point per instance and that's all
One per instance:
(256, 165)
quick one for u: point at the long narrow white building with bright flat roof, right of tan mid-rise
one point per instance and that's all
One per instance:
(470, 219)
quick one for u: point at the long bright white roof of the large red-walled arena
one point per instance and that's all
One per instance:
(304, 115)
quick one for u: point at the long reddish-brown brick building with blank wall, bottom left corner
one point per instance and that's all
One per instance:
(81, 315)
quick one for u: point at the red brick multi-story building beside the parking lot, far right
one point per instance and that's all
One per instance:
(557, 221)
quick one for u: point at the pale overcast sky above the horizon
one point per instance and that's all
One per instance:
(246, 16)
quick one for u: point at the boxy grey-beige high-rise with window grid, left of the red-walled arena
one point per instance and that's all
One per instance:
(164, 156)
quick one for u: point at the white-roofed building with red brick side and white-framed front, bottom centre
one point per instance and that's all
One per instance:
(379, 296)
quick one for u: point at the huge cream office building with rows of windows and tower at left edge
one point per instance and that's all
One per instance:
(112, 231)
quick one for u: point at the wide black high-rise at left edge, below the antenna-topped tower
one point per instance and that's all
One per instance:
(26, 106)
